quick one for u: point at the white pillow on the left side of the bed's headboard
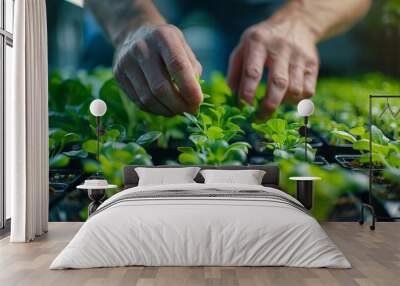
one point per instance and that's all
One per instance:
(166, 176)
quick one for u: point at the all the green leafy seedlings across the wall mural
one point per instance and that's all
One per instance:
(220, 132)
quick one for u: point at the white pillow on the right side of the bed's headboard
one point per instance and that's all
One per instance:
(248, 177)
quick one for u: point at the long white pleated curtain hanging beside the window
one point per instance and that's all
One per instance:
(27, 124)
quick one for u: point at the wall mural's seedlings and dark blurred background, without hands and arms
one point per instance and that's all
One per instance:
(225, 130)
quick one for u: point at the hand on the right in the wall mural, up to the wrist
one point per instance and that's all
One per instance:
(286, 46)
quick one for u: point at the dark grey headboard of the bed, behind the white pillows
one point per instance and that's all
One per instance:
(270, 179)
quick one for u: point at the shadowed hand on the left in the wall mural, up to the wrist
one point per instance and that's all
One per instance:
(157, 70)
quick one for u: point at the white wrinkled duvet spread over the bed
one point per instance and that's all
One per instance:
(200, 231)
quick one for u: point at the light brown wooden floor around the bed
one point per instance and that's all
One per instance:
(375, 257)
